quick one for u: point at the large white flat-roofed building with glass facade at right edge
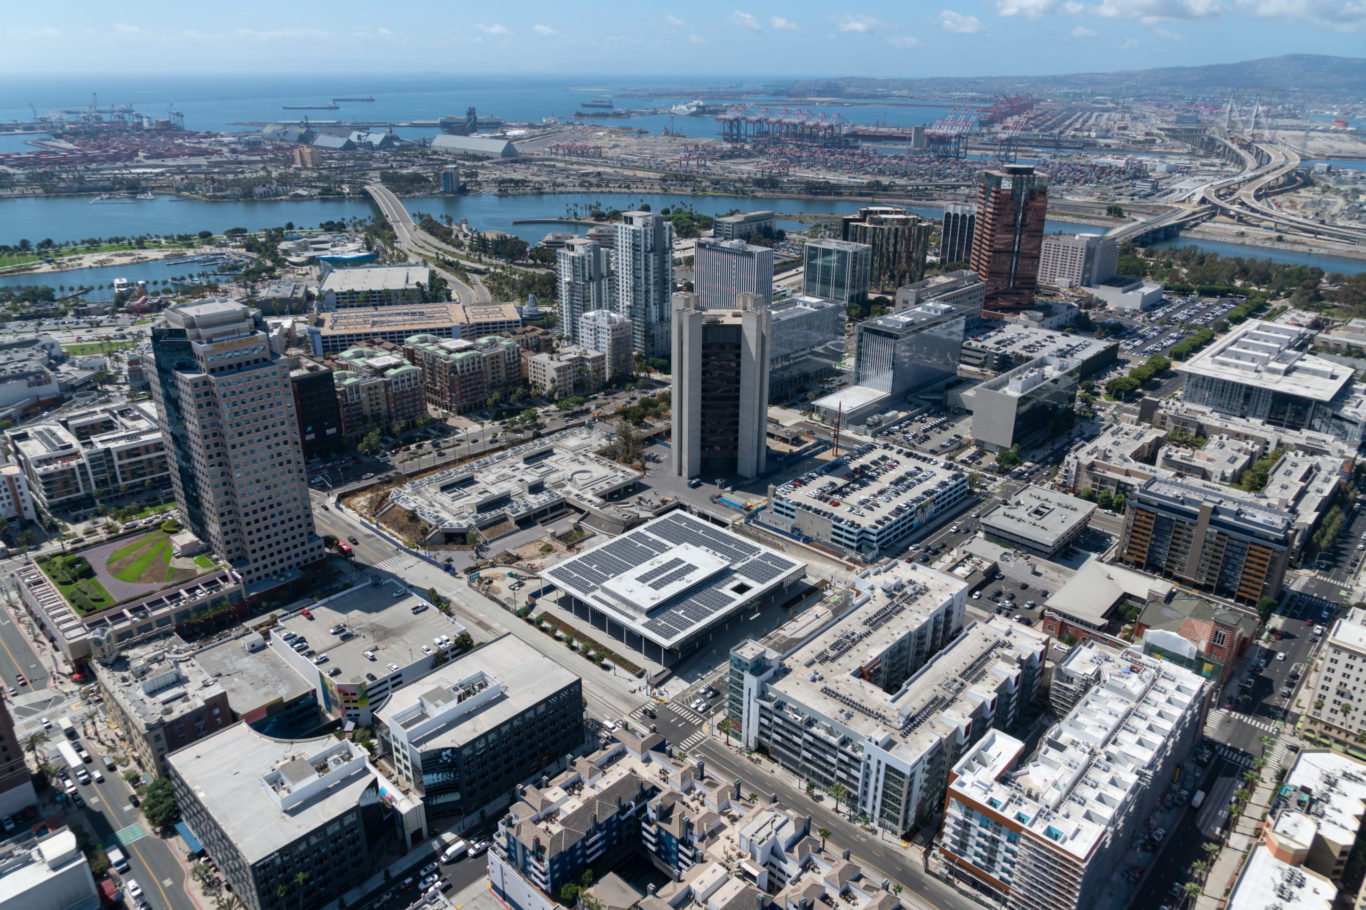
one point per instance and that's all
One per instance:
(1266, 372)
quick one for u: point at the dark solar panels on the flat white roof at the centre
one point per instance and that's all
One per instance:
(692, 609)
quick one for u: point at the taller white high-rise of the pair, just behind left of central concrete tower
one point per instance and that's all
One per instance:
(643, 277)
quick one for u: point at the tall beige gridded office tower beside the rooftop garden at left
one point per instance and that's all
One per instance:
(226, 409)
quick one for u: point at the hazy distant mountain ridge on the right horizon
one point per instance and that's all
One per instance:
(1294, 74)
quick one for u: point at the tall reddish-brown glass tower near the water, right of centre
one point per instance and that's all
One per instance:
(1012, 207)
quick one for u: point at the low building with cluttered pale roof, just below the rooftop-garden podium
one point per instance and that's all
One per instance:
(162, 699)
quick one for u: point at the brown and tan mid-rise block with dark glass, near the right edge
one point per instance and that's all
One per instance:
(1208, 539)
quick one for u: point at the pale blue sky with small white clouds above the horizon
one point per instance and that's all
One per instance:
(798, 39)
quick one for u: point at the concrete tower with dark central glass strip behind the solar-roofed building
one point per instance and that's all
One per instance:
(721, 389)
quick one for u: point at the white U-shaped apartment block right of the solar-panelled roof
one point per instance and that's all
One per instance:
(884, 702)
